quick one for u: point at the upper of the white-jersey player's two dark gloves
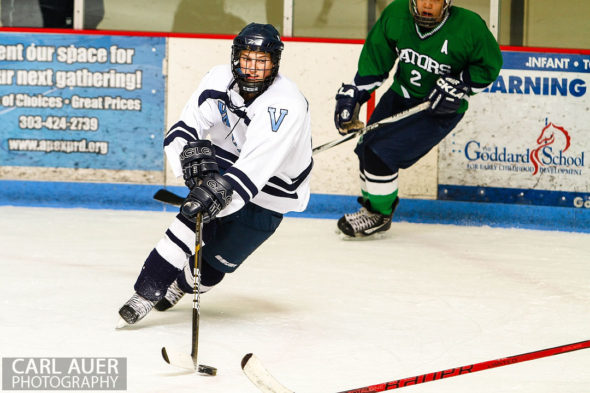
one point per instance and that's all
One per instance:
(198, 161)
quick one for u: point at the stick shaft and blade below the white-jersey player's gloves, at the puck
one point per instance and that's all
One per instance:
(180, 359)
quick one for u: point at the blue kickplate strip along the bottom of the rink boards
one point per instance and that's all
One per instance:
(139, 197)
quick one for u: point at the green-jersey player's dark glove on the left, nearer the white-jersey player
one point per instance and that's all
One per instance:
(348, 103)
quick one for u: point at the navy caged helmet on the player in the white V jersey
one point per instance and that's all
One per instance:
(261, 38)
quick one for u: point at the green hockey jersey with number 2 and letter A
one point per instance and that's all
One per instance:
(461, 46)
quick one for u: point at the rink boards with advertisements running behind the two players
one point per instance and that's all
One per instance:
(89, 110)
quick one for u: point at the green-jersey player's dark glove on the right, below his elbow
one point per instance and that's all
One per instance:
(446, 96)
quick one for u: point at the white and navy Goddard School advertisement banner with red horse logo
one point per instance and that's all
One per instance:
(525, 139)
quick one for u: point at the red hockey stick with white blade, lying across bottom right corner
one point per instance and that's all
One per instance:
(260, 377)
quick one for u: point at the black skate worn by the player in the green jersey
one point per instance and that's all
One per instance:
(365, 222)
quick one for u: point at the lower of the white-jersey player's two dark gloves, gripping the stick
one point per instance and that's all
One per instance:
(209, 198)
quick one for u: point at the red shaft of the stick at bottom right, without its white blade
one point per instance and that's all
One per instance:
(453, 372)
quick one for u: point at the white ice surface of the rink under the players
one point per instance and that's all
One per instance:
(323, 314)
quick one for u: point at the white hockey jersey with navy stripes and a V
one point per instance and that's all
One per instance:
(263, 149)
